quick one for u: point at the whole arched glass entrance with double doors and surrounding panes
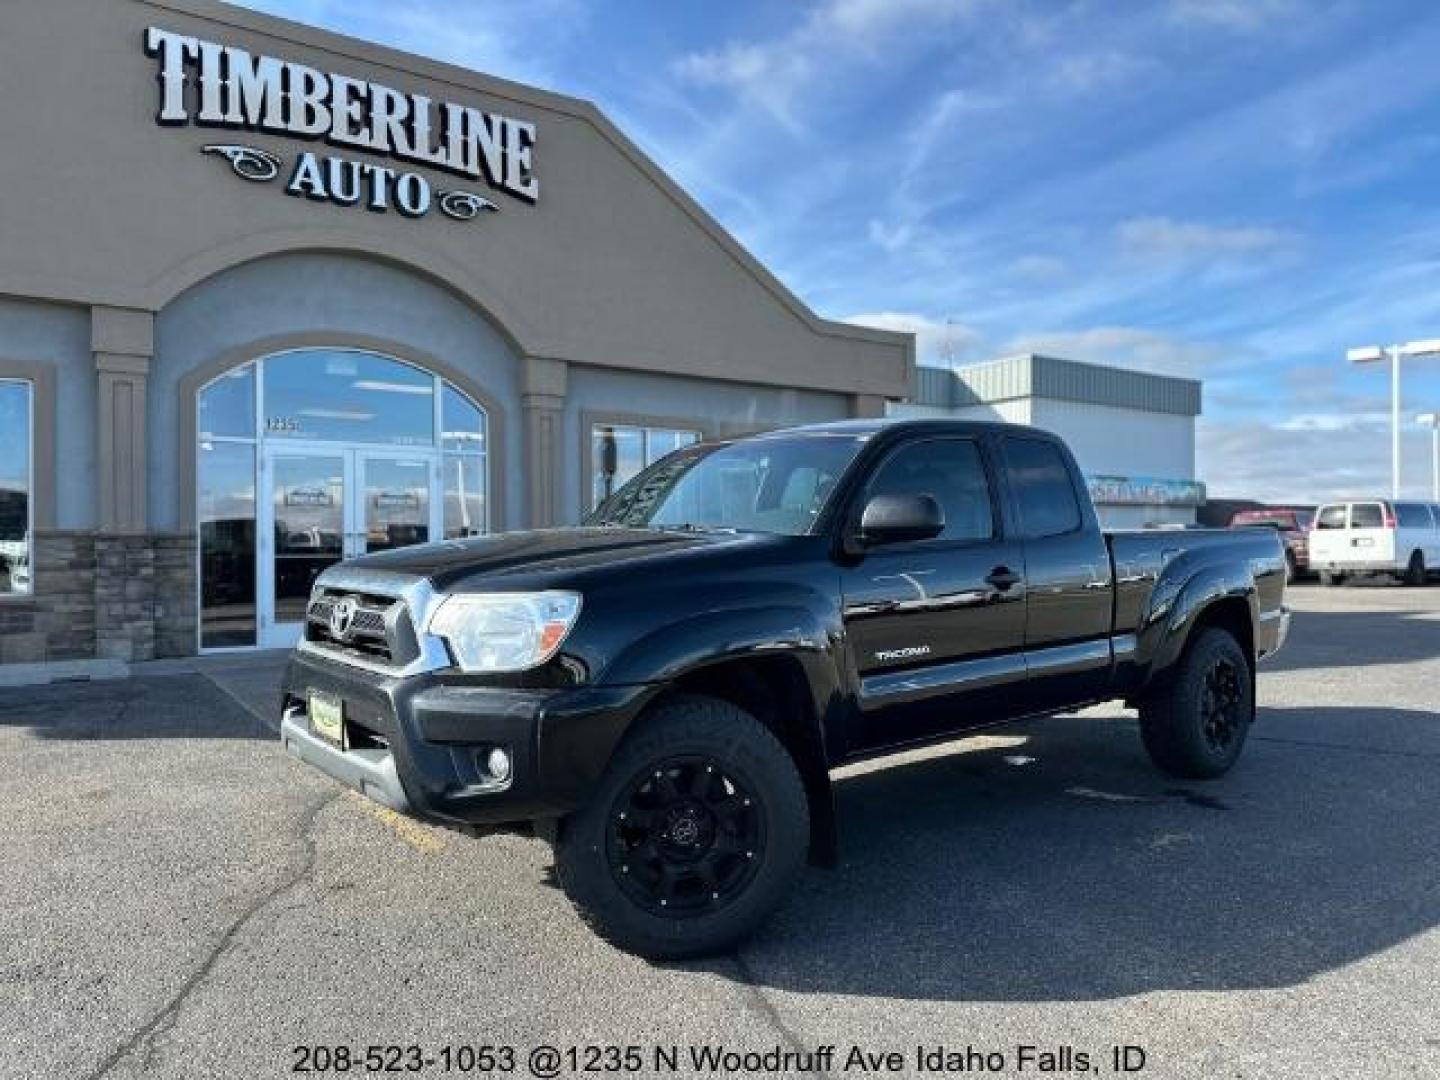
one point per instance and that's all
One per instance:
(315, 456)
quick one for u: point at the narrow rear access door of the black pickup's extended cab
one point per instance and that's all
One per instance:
(1069, 603)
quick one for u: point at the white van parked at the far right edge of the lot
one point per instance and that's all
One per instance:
(1376, 536)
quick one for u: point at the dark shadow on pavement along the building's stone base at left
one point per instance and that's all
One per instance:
(186, 706)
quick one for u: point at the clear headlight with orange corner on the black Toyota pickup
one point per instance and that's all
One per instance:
(506, 631)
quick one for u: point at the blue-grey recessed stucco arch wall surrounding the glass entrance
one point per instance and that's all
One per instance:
(342, 299)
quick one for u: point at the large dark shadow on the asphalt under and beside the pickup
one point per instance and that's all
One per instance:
(1085, 875)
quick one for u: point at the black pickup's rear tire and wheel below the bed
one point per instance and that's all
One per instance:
(1197, 724)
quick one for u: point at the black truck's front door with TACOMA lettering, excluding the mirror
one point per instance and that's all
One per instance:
(935, 627)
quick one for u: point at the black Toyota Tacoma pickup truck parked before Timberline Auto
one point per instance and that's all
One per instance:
(665, 690)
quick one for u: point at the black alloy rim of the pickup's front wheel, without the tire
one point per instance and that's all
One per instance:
(686, 837)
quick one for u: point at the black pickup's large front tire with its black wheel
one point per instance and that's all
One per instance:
(696, 834)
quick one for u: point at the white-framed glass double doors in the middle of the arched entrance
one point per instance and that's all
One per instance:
(328, 505)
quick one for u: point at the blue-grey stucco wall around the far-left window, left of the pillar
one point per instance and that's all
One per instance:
(60, 336)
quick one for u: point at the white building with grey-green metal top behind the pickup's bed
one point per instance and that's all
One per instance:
(1133, 433)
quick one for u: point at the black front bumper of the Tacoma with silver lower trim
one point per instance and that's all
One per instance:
(418, 745)
